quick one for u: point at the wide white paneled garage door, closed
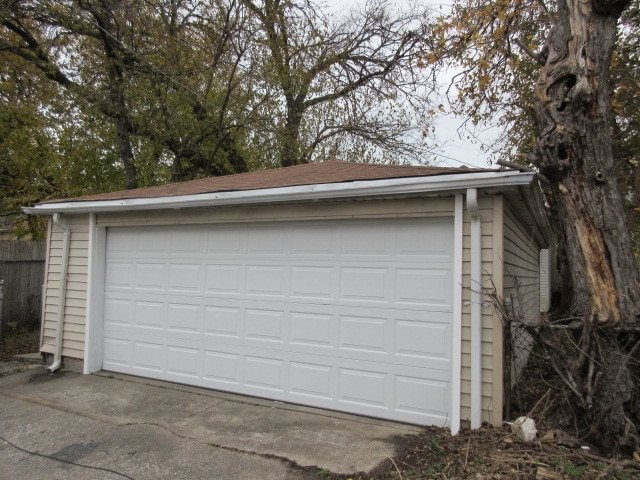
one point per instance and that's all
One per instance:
(345, 315)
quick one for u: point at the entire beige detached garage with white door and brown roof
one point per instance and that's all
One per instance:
(348, 286)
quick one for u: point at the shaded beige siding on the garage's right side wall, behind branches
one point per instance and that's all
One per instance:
(521, 283)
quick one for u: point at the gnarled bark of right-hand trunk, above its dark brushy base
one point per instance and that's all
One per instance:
(574, 150)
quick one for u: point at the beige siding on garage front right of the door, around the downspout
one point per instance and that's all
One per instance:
(491, 330)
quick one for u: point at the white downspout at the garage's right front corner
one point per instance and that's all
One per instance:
(476, 308)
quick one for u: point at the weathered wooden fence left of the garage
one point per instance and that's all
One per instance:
(22, 269)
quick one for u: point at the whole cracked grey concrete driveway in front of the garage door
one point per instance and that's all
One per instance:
(108, 426)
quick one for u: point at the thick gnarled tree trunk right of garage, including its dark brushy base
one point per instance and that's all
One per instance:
(574, 151)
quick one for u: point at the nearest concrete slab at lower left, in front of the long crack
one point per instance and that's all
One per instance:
(100, 451)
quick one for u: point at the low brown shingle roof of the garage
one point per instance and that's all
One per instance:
(307, 174)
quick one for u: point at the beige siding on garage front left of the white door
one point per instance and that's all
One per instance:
(76, 294)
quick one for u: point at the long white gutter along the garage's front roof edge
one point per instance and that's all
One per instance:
(454, 183)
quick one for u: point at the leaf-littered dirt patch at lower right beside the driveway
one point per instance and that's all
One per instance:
(493, 453)
